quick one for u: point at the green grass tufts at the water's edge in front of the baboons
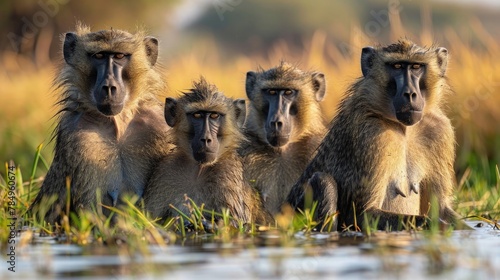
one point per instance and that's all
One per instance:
(133, 231)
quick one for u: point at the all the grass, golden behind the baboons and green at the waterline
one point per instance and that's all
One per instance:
(26, 110)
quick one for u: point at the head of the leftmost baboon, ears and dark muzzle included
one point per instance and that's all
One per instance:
(105, 59)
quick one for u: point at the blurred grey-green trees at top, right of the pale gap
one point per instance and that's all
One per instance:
(252, 27)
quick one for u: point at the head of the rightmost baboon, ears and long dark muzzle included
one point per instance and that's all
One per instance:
(403, 71)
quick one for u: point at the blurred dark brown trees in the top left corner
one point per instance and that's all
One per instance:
(32, 27)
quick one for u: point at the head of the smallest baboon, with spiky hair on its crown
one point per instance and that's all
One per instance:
(205, 121)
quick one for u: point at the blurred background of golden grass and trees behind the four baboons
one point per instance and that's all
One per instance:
(223, 39)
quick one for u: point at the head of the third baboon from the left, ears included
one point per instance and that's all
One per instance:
(278, 96)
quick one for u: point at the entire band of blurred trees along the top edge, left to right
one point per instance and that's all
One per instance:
(32, 27)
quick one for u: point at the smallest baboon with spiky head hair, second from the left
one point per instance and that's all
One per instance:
(204, 165)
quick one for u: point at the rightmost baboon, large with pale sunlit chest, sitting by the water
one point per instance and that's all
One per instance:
(390, 147)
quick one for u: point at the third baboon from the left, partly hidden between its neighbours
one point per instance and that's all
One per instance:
(285, 126)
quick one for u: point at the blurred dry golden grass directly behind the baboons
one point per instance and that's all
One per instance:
(26, 97)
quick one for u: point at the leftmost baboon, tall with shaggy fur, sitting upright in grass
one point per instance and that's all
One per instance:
(110, 131)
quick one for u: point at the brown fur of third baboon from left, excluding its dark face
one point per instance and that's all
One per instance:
(274, 170)
